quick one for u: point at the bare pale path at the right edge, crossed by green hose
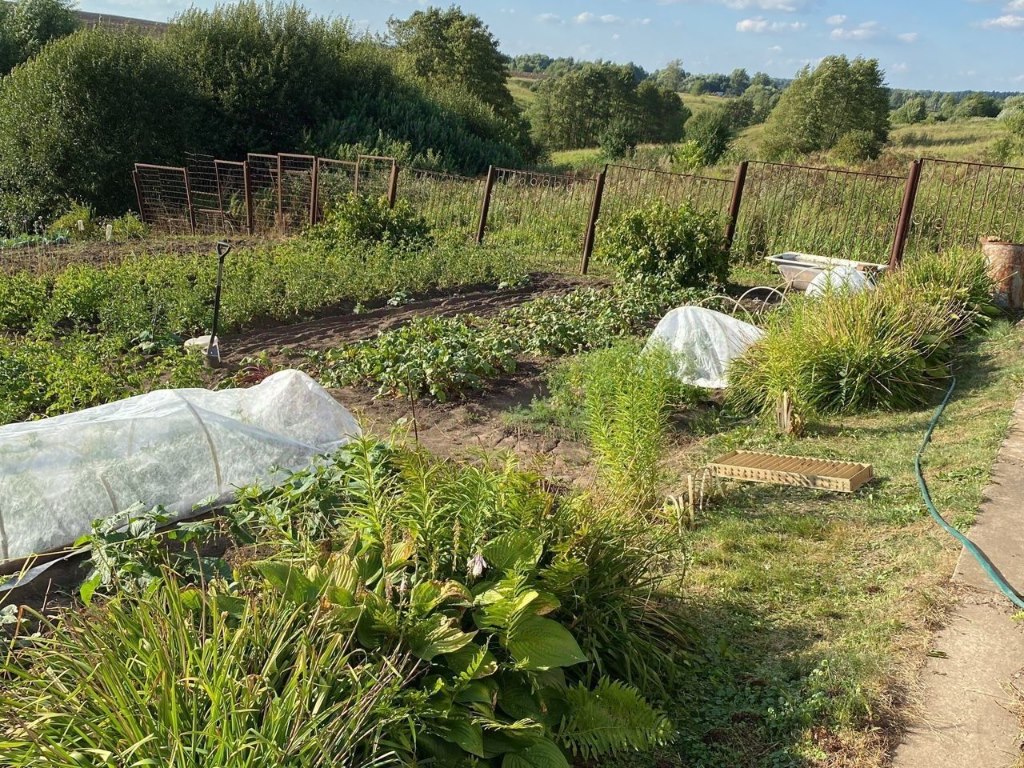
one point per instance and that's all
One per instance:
(969, 711)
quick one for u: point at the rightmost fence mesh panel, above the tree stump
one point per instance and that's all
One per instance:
(959, 203)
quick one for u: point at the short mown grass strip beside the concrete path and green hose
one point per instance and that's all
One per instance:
(818, 609)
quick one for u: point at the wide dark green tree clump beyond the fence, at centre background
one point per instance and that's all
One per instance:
(577, 109)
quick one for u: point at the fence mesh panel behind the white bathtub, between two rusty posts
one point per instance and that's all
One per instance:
(829, 212)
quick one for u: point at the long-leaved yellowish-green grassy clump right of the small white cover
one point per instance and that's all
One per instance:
(888, 349)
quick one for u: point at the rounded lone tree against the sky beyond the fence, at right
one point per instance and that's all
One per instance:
(824, 105)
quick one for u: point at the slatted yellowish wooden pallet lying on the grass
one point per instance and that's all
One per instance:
(792, 471)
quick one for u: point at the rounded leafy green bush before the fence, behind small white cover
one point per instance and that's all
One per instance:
(682, 244)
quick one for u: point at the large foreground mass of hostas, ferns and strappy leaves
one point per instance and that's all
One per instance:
(432, 610)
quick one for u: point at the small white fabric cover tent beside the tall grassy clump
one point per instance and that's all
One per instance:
(705, 343)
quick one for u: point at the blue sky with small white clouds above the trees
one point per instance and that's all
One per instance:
(937, 45)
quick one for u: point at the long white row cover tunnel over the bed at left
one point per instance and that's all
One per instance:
(176, 448)
